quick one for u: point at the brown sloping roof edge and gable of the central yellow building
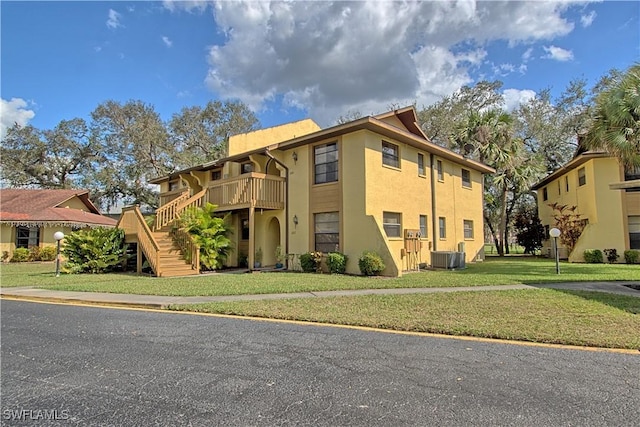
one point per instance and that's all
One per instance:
(410, 134)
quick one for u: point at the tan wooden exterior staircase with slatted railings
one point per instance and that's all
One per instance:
(169, 252)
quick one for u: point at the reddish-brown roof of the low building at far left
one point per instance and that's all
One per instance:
(26, 207)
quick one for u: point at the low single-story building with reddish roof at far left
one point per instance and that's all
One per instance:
(31, 217)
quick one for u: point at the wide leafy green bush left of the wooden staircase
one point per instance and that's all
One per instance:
(96, 250)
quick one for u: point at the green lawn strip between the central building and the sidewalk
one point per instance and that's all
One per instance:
(494, 271)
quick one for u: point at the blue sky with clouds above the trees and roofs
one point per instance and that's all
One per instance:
(290, 60)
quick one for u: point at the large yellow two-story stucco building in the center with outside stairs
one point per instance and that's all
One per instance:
(370, 184)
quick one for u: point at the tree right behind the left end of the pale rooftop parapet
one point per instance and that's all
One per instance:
(202, 134)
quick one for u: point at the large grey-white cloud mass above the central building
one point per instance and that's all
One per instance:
(331, 57)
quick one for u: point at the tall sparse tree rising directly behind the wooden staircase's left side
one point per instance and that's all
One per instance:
(134, 147)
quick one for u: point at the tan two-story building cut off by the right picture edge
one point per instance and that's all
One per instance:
(606, 196)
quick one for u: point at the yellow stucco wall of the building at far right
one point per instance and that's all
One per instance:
(595, 201)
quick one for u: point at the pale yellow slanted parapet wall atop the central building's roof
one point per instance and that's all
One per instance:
(265, 137)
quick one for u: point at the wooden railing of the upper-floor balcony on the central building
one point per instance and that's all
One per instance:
(250, 189)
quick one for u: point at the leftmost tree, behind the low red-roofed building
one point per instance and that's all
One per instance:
(55, 158)
